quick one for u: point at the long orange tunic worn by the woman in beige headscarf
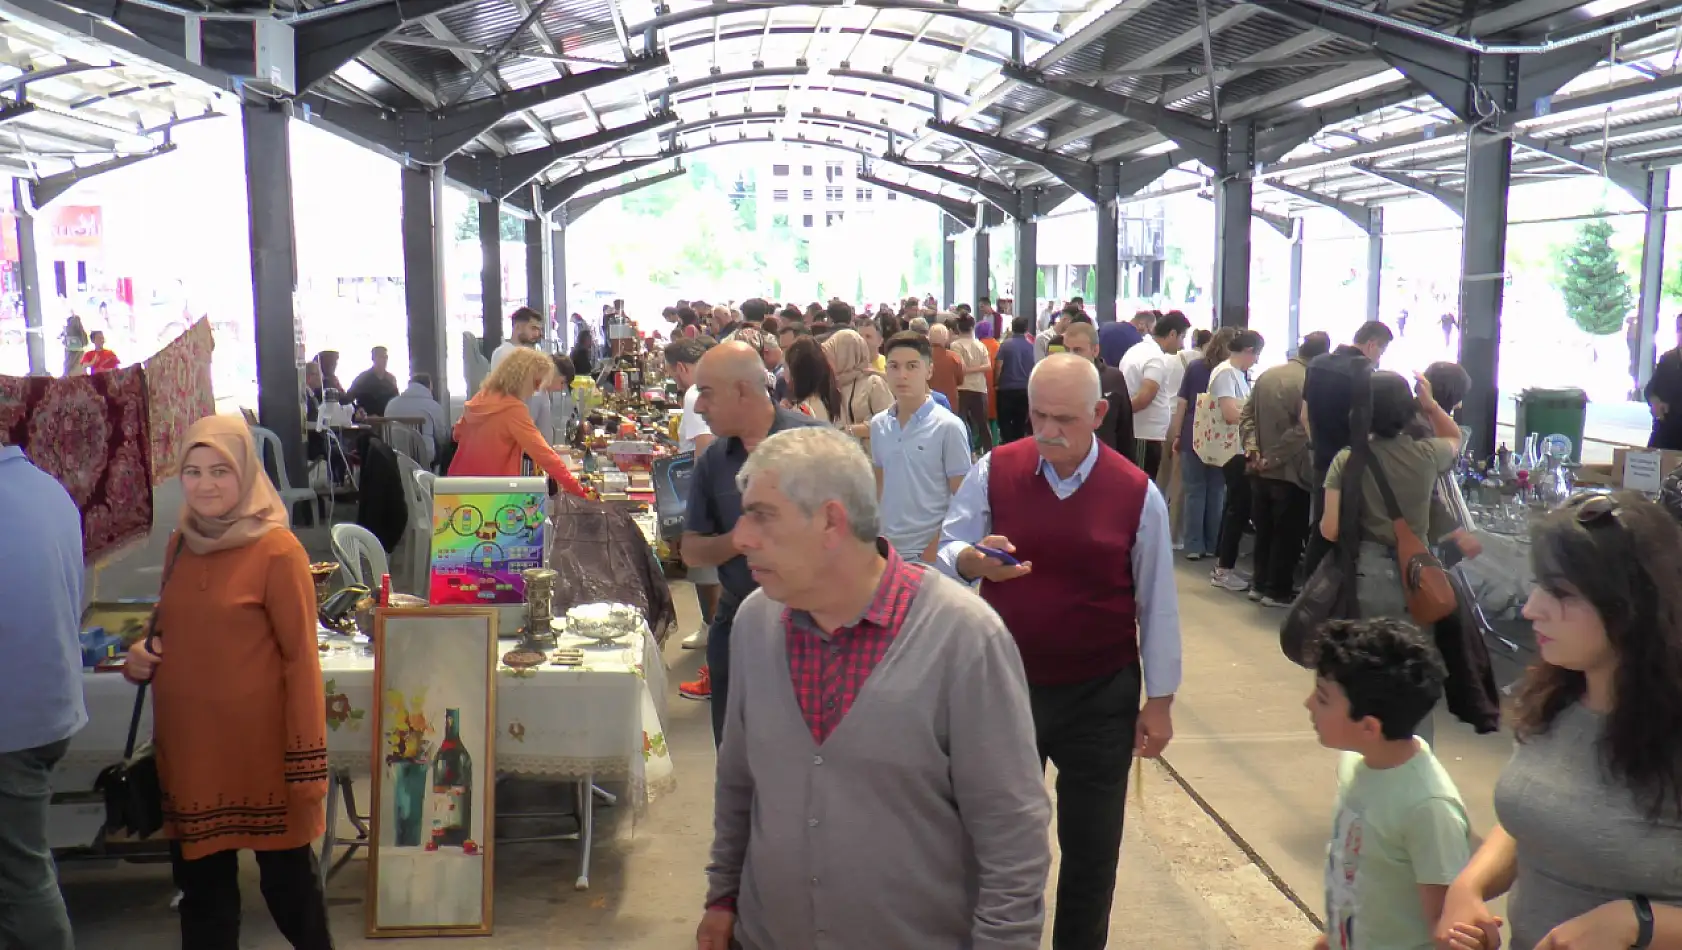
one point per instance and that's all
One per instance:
(240, 715)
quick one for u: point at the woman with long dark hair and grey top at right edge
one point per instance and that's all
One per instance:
(1590, 806)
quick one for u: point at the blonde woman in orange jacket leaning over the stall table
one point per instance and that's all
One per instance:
(497, 428)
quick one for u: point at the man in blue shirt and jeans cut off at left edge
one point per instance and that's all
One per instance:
(41, 692)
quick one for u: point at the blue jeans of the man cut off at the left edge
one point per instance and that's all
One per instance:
(31, 907)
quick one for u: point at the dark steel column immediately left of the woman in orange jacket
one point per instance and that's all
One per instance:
(423, 278)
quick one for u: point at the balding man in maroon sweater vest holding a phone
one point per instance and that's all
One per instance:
(1092, 610)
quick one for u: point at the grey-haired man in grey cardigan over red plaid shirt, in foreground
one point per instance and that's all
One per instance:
(879, 784)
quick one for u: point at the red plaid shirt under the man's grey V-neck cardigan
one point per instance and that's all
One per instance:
(830, 670)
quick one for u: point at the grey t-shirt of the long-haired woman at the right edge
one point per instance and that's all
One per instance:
(1584, 840)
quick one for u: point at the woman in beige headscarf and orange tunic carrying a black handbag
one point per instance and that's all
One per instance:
(240, 717)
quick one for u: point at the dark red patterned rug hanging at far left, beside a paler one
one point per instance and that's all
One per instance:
(92, 435)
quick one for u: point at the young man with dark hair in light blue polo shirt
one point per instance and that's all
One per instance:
(921, 451)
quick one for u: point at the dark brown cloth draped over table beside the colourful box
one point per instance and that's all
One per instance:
(603, 557)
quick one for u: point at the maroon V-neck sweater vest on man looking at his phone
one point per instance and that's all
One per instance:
(1074, 616)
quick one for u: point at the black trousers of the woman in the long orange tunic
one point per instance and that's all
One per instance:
(290, 884)
